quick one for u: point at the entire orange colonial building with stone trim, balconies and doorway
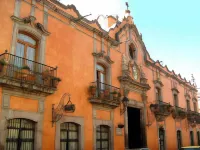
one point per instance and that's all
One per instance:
(67, 84)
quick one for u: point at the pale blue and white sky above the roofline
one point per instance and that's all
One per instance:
(170, 29)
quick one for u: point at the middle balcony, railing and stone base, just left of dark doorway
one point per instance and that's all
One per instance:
(105, 94)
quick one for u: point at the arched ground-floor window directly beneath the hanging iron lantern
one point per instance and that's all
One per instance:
(69, 139)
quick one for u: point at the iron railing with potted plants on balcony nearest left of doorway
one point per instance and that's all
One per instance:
(106, 91)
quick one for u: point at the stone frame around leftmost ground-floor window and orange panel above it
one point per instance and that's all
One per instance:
(8, 114)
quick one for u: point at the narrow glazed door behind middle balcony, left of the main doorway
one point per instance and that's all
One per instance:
(101, 77)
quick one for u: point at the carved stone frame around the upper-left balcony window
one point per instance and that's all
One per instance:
(32, 29)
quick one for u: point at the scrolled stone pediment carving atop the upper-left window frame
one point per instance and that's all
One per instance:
(32, 21)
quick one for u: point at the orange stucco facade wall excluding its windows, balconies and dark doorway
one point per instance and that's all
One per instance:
(71, 45)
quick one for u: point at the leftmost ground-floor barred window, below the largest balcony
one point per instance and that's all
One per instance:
(20, 134)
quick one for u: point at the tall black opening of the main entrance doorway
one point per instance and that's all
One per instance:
(134, 128)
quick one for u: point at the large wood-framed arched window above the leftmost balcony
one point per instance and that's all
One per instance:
(26, 48)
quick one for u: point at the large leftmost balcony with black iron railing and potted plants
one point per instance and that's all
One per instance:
(21, 72)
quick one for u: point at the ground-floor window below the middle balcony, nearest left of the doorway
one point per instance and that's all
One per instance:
(102, 139)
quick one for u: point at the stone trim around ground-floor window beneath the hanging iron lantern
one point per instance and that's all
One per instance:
(74, 119)
